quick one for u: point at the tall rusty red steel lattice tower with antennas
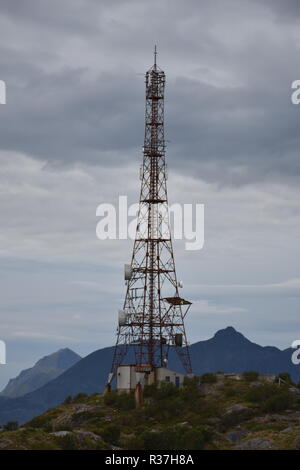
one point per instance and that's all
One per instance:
(152, 319)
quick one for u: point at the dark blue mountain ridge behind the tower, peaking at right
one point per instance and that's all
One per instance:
(227, 351)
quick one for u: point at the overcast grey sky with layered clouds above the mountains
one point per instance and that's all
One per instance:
(71, 138)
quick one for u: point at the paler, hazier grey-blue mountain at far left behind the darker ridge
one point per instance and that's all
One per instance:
(45, 370)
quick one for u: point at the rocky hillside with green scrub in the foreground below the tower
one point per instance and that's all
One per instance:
(214, 411)
